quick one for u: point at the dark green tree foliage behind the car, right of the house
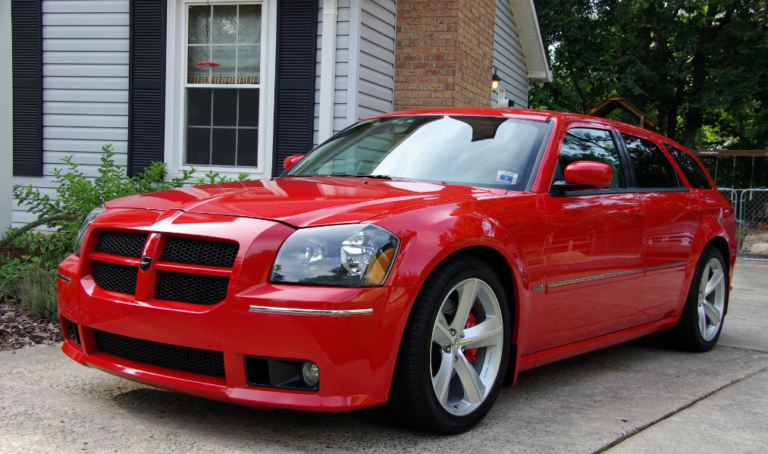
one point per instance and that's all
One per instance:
(699, 68)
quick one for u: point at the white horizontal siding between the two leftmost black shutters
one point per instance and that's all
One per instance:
(85, 88)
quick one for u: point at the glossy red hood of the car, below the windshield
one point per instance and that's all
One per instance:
(303, 201)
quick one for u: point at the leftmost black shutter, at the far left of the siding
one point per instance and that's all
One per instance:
(27, 36)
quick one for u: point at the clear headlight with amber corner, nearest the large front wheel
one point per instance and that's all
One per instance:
(336, 255)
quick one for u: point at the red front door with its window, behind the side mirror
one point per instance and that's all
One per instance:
(593, 250)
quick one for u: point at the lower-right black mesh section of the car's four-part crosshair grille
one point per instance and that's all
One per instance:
(191, 288)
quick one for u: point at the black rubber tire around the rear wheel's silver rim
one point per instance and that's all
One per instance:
(686, 335)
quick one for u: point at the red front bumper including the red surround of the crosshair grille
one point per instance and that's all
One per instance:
(355, 353)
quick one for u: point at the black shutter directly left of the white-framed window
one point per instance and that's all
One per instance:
(146, 87)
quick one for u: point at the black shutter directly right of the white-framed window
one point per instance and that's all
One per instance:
(295, 87)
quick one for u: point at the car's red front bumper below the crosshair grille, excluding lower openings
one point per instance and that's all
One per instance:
(355, 354)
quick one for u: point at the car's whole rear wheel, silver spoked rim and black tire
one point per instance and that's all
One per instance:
(702, 319)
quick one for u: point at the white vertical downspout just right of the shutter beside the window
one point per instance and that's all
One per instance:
(327, 69)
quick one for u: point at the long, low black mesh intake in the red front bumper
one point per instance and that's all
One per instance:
(187, 359)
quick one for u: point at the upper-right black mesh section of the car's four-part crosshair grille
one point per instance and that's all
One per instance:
(199, 252)
